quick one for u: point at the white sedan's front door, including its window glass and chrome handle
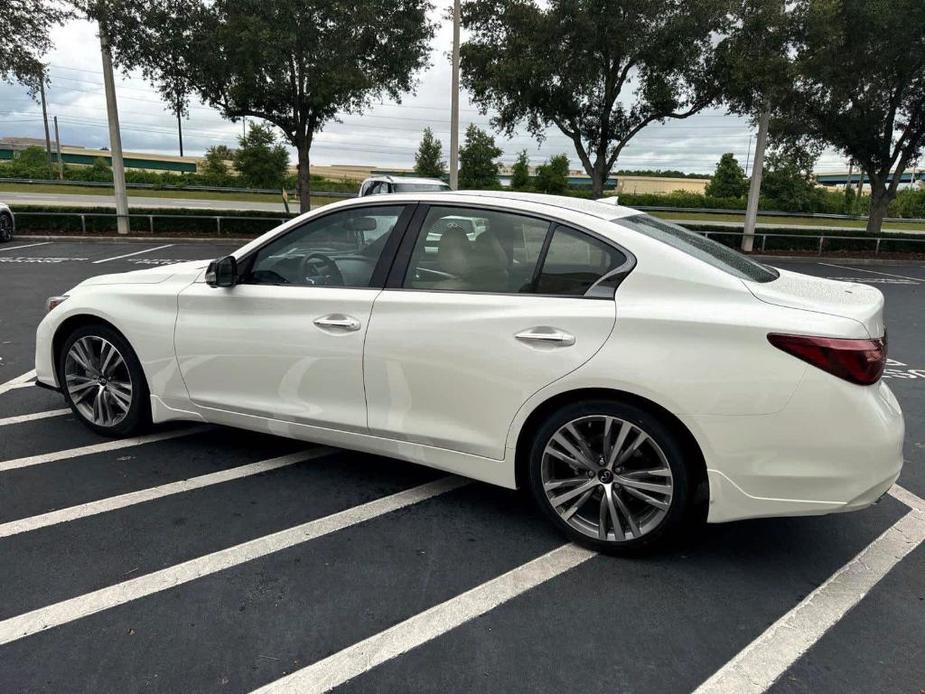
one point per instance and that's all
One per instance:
(286, 342)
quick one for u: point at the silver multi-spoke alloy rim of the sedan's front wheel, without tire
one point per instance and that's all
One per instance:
(98, 381)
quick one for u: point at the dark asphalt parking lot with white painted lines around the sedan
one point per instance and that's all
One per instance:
(207, 559)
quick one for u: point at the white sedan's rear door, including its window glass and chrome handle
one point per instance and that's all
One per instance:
(491, 308)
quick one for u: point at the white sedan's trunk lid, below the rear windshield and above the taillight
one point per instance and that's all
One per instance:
(860, 302)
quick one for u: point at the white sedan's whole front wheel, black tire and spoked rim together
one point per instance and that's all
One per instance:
(103, 382)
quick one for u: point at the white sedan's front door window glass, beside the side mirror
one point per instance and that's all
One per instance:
(339, 249)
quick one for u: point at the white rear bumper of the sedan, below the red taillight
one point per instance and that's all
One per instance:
(835, 447)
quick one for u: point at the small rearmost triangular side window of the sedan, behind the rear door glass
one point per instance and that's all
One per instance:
(574, 262)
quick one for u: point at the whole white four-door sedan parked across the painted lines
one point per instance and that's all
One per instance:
(635, 376)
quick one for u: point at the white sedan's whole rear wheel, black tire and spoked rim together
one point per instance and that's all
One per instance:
(574, 494)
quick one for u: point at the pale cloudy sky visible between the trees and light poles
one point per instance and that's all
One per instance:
(386, 135)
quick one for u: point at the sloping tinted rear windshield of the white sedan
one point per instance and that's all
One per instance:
(700, 247)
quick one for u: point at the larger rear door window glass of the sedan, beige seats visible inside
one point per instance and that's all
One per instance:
(477, 251)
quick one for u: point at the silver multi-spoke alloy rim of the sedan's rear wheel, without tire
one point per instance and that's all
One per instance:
(607, 478)
